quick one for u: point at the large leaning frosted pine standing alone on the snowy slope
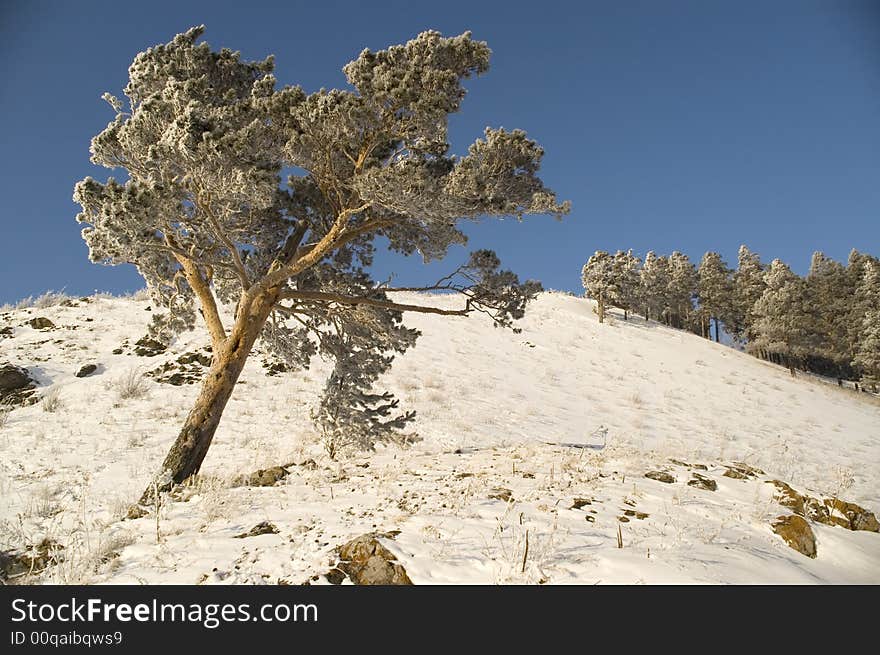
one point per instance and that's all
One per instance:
(203, 137)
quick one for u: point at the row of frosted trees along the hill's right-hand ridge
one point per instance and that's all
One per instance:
(827, 322)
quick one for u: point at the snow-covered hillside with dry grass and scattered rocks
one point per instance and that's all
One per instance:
(543, 436)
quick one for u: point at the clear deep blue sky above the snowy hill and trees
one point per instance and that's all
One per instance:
(669, 125)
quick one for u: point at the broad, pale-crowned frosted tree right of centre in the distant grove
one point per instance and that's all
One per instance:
(783, 318)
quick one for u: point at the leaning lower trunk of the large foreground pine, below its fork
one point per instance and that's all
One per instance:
(188, 452)
